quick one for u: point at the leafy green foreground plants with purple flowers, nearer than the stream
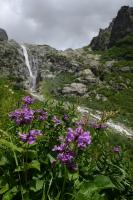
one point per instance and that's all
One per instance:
(35, 165)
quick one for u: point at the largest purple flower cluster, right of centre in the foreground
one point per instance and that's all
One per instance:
(80, 138)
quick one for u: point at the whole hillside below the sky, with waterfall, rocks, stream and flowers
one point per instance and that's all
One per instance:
(62, 117)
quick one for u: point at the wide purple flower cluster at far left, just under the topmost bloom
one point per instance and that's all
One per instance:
(22, 116)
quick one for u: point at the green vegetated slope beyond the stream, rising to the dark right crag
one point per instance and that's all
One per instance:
(118, 87)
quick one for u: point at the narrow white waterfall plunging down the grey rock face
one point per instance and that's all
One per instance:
(32, 76)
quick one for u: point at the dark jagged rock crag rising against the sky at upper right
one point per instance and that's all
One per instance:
(120, 27)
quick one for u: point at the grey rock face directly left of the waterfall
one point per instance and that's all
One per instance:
(11, 62)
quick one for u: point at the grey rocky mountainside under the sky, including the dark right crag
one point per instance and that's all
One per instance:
(72, 72)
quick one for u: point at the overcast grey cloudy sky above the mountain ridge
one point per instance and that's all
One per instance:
(59, 23)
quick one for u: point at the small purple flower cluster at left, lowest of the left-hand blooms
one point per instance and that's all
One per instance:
(30, 137)
